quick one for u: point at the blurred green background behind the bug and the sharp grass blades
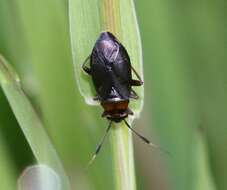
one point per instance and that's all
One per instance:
(184, 47)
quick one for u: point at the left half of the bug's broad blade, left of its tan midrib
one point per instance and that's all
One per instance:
(85, 27)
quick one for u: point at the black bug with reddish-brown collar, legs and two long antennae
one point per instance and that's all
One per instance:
(111, 72)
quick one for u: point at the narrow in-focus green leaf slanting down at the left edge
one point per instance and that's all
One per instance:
(29, 121)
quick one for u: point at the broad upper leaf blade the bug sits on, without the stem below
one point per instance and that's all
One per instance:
(87, 20)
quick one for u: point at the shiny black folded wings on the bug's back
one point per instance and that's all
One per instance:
(111, 70)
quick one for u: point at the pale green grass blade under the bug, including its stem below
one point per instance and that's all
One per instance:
(86, 23)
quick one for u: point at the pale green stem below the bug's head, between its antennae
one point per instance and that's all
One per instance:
(123, 160)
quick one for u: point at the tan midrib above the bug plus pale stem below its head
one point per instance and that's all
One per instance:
(121, 138)
